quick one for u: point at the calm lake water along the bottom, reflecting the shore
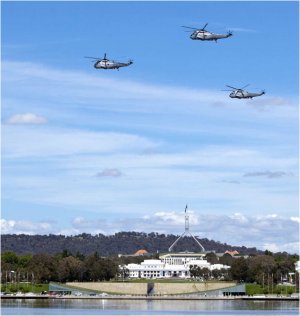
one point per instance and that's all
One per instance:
(146, 307)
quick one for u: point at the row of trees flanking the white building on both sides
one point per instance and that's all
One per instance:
(67, 267)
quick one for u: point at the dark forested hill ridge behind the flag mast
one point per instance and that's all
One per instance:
(120, 243)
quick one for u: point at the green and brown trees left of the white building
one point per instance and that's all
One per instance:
(61, 267)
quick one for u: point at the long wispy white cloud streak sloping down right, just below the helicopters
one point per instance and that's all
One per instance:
(74, 89)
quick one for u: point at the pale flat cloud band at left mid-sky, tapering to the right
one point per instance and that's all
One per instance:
(38, 142)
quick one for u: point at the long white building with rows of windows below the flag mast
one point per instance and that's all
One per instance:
(170, 265)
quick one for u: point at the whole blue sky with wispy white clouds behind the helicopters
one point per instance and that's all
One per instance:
(88, 150)
